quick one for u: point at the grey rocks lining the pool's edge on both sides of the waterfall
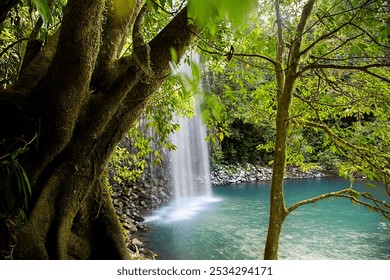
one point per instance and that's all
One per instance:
(133, 200)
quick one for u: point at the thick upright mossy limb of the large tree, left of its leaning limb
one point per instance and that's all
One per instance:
(64, 90)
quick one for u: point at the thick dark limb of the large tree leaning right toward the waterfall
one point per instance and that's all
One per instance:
(178, 35)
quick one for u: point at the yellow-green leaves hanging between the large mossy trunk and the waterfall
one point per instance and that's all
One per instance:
(148, 142)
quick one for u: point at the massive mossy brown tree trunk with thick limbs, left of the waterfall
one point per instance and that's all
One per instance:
(80, 98)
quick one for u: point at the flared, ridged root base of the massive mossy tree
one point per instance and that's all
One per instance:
(73, 218)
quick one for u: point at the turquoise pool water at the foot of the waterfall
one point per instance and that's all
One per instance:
(233, 225)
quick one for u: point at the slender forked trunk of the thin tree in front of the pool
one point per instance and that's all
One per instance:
(286, 79)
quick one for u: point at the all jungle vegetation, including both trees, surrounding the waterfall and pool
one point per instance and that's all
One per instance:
(76, 76)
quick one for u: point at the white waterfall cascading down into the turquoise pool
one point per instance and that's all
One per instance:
(190, 173)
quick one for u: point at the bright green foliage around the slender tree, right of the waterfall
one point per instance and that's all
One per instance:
(343, 104)
